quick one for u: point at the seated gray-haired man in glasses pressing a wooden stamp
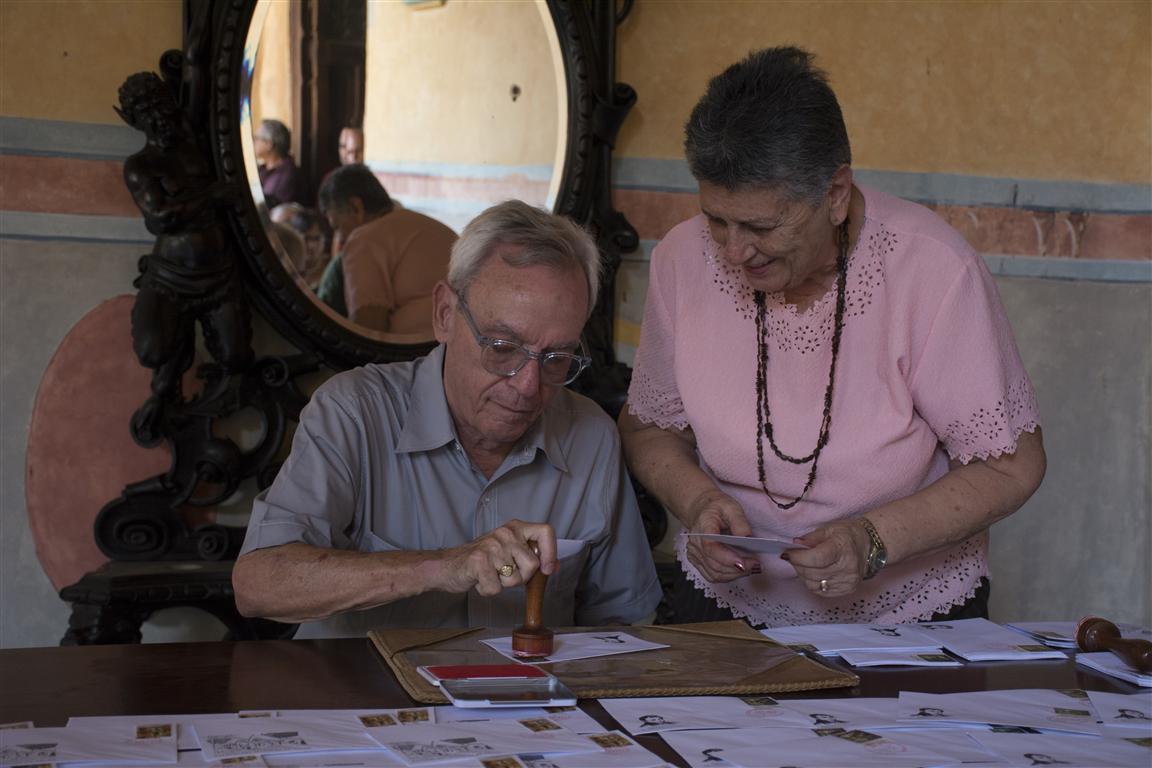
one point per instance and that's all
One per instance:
(428, 493)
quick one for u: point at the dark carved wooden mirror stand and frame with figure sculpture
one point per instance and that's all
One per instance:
(214, 265)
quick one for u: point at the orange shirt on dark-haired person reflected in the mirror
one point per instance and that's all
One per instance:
(391, 265)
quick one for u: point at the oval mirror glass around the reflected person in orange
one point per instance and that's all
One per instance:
(460, 105)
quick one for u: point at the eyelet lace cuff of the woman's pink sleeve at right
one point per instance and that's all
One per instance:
(999, 427)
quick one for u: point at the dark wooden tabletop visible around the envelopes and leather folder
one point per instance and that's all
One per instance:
(49, 686)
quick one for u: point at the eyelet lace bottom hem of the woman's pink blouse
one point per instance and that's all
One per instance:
(952, 582)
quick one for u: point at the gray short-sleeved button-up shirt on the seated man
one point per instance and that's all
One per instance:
(376, 467)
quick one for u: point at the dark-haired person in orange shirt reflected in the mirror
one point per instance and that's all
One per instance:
(392, 258)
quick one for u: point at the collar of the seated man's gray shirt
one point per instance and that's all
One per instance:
(429, 423)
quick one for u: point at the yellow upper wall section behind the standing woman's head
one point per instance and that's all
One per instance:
(1058, 90)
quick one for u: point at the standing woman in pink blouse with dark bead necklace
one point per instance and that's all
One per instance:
(825, 364)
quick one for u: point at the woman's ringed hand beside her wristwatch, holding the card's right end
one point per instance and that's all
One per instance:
(835, 564)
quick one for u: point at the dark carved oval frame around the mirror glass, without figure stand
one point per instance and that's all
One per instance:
(597, 107)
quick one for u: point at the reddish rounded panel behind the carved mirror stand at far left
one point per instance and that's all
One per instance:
(80, 453)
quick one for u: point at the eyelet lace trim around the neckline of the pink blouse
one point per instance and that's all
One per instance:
(809, 331)
